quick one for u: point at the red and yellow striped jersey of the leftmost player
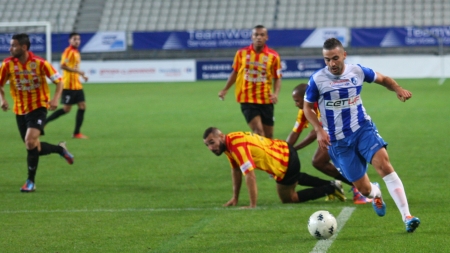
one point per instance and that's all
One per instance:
(27, 82)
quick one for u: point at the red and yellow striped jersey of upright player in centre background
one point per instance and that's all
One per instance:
(255, 74)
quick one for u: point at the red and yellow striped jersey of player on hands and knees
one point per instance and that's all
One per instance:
(249, 151)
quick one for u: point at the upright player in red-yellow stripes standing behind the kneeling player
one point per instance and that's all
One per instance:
(256, 71)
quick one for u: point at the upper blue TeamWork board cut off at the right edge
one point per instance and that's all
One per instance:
(400, 36)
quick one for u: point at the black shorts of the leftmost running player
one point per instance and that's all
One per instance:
(33, 119)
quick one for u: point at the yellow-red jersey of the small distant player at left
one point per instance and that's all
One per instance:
(71, 58)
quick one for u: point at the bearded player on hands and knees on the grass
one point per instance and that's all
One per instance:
(248, 151)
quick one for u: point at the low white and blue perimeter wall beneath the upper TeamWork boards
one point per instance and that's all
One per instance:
(410, 66)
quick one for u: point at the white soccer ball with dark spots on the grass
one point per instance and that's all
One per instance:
(322, 225)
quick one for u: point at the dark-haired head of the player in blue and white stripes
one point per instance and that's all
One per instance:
(334, 56)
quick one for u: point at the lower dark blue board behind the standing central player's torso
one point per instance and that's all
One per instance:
(291, 69)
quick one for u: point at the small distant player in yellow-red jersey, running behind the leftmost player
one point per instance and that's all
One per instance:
(73, 89)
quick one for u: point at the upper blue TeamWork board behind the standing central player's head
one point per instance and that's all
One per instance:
(235, 38)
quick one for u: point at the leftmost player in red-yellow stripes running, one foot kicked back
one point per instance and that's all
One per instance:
(27, 75)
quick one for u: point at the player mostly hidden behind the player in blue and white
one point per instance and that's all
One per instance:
(321, 158)
